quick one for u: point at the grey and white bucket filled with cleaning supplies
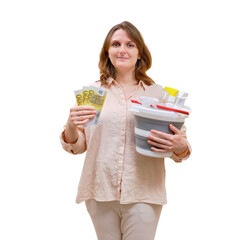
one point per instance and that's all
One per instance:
(150, 114)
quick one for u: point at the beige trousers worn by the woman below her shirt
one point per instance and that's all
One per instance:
(115, 221)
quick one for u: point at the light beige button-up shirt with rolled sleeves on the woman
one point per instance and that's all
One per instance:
(113, 170)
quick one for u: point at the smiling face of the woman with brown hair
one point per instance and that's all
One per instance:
(123, 52)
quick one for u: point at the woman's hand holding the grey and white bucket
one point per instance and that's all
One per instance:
(167, 142)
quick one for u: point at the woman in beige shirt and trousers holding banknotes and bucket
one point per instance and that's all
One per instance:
(124, 191)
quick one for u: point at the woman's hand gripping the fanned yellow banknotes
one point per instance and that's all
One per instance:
(80, 115)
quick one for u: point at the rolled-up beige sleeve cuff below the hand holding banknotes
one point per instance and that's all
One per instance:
(78, 147)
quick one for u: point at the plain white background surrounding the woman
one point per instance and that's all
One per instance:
(50, 48)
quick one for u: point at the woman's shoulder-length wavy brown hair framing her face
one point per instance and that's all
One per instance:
(142, 65)
